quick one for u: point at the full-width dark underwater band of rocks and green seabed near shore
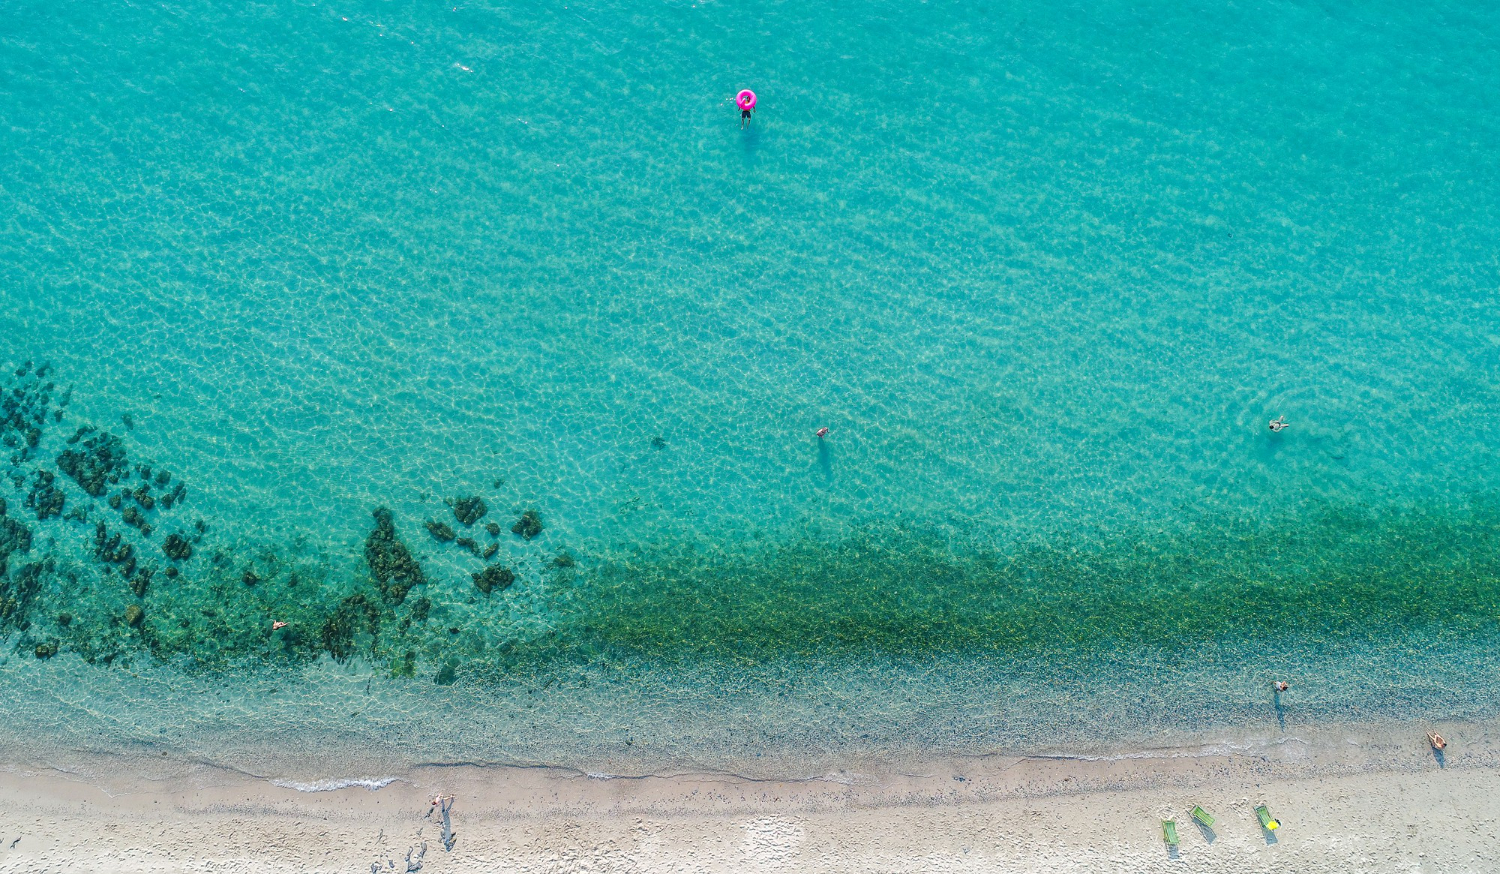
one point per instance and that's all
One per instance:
(1331, 572)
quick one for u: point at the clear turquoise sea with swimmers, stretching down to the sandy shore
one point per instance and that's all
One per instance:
(1045, 274)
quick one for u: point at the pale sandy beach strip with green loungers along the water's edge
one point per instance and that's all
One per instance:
(1349, 801)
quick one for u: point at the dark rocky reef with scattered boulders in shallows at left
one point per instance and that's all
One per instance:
(103, 560)
